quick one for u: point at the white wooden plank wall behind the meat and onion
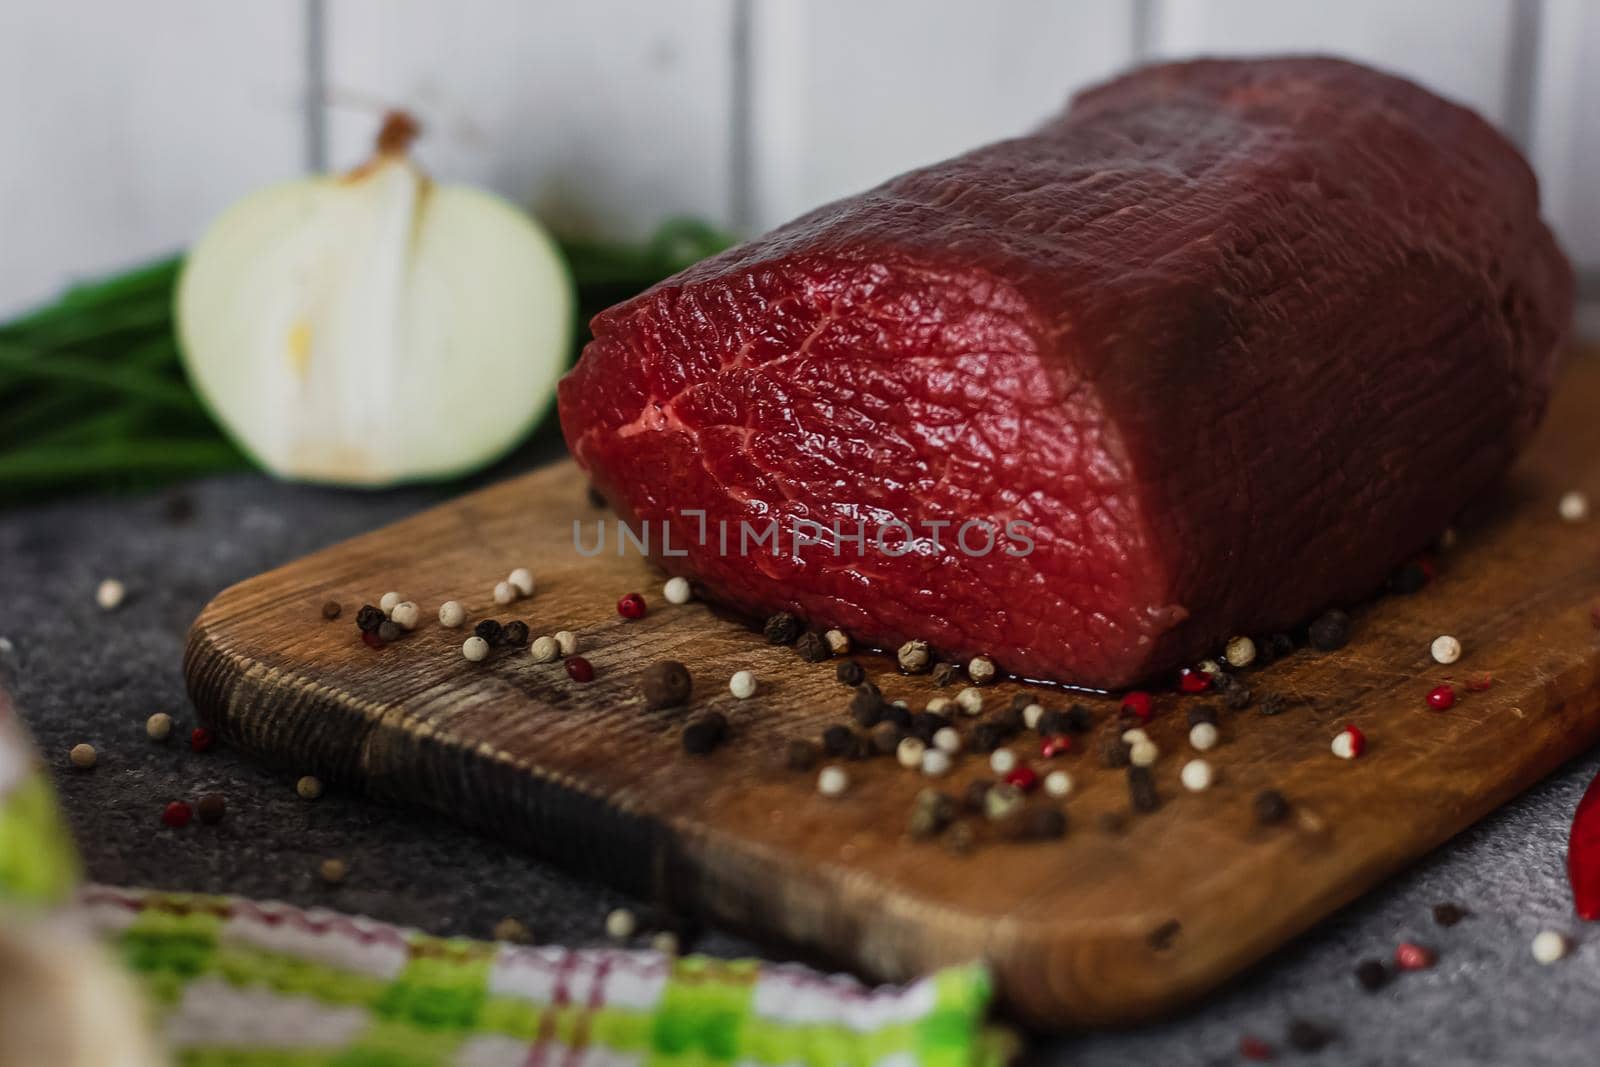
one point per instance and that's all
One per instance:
(124, 127)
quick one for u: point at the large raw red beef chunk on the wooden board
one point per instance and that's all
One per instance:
(1214, 351)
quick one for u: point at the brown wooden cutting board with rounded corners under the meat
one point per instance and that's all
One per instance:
(1095, 929)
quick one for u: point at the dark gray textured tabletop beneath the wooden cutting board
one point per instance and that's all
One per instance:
(86, 676)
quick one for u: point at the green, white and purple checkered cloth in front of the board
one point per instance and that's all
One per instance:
(236, 983)
